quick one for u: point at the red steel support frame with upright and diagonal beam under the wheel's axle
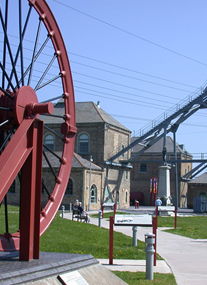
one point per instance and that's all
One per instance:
(24, 152)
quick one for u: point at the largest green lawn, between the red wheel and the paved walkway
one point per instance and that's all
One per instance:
(75, 237)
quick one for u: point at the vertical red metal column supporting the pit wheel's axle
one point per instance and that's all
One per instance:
(30, 204)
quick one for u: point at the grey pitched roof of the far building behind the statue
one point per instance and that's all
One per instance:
(158, 146)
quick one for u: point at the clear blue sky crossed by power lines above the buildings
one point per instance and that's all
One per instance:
(138, 58)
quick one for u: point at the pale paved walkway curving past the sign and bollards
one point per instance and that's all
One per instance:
(186, 258)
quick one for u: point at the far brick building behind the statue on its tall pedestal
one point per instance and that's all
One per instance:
(147, 167)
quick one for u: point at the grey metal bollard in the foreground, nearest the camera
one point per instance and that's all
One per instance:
(149, 240)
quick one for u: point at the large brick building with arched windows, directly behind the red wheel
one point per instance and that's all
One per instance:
(98, 136)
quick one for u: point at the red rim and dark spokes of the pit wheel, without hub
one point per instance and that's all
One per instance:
(22, 59)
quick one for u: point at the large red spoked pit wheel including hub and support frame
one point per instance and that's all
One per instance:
(34, 69)
